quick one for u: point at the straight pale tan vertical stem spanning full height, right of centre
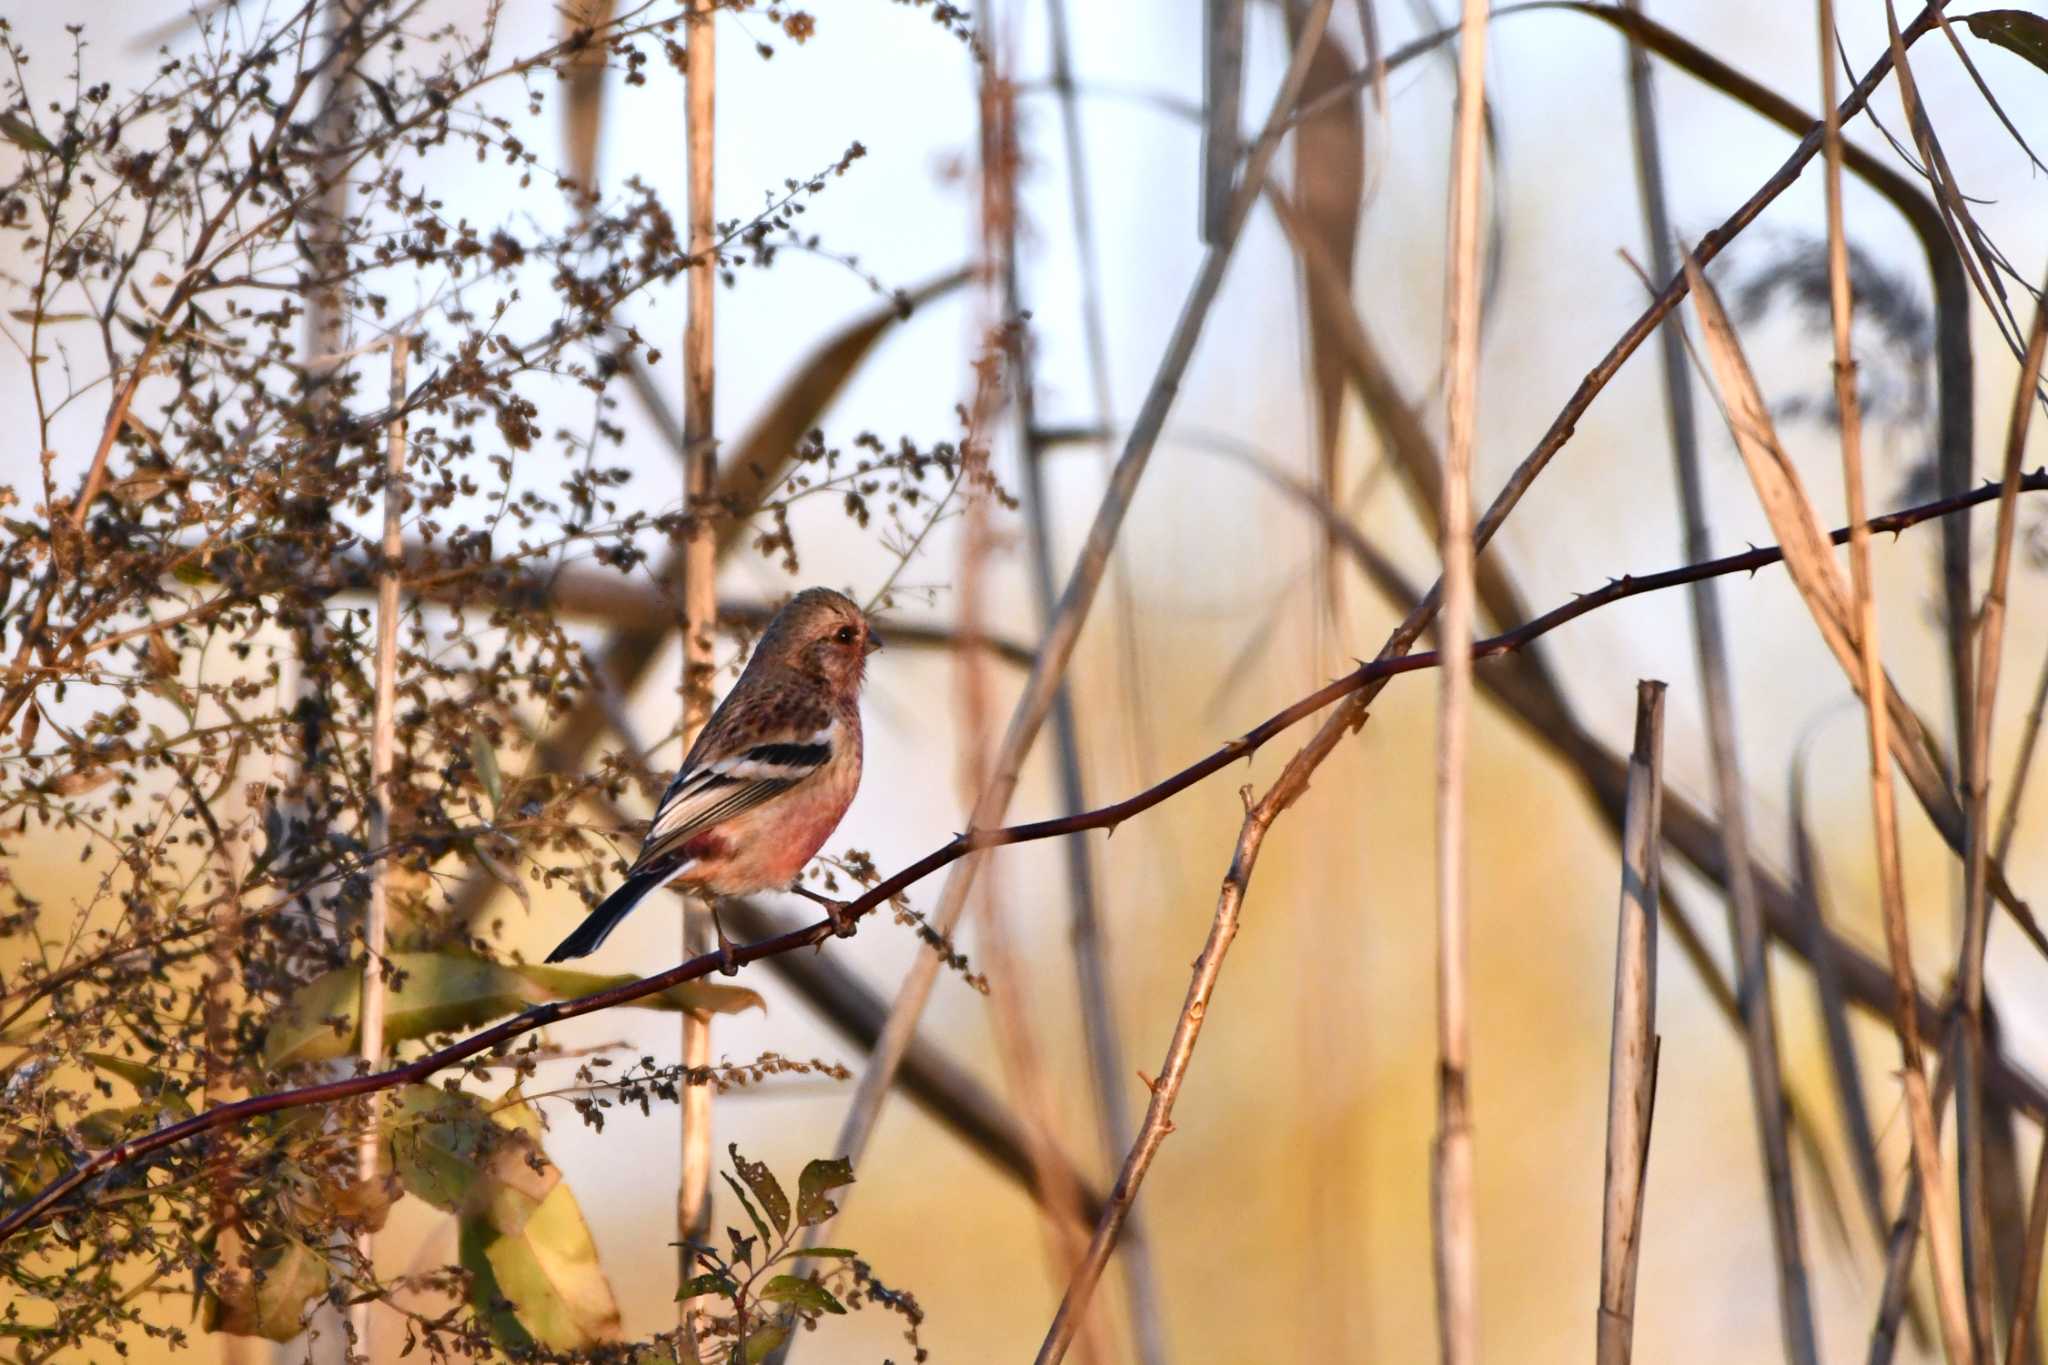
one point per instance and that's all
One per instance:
(1451, 1186)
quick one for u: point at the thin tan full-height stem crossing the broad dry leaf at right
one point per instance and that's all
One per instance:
(1957, 1325)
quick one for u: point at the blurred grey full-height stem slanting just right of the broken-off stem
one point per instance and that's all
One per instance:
(1717, 693)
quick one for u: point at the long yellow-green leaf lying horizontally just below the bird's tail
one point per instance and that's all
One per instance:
(443, 992)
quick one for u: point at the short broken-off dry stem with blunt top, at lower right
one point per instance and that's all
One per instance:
(1633, 1051)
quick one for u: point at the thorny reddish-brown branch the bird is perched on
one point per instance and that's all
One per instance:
(1103, 818)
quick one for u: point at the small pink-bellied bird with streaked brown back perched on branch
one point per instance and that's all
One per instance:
(771, 775)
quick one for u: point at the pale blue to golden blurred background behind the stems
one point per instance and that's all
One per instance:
(1289, 1210)
